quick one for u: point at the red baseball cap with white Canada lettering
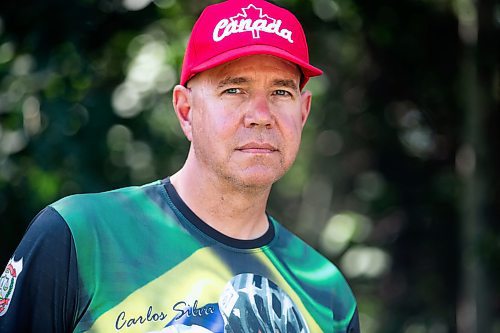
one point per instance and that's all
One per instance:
(236, 28)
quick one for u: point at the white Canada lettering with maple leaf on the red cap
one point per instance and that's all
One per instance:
(251, 20)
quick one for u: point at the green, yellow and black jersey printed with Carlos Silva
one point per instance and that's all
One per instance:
(138, 259)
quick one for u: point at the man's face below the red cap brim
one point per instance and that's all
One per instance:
(247, 119)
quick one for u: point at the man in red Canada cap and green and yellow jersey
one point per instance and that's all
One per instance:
(195, 252)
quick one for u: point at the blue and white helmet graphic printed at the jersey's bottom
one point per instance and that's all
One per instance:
(249, 303)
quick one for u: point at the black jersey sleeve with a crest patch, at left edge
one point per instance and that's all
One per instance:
(39, 287)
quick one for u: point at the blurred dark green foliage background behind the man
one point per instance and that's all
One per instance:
(397, 180)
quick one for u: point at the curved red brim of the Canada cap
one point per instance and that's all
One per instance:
(307, 70)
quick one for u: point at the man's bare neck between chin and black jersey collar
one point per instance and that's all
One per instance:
(235, 211)
